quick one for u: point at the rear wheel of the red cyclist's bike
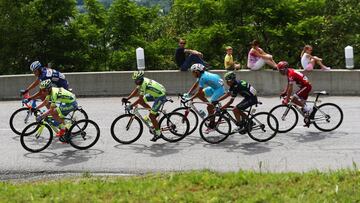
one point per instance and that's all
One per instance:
(327, 117)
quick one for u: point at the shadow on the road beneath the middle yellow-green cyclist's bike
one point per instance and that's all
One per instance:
(154, 150)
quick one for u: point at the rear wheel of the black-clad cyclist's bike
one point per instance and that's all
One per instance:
(262, 127)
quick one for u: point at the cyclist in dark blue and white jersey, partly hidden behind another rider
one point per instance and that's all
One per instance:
(42, 73)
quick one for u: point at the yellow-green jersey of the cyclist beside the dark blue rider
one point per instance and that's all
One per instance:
(60, 95)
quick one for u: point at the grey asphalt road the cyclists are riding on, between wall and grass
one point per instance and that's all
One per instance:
(302, 149)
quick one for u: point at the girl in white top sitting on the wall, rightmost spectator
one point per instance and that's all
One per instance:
(308, 61)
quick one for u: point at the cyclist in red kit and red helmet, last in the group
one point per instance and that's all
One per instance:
(295, 77)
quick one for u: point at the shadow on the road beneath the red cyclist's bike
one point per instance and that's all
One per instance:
(315, 136)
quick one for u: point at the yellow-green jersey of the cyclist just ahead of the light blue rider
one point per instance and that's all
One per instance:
(151, 87)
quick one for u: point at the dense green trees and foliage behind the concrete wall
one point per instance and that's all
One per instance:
(105, 37)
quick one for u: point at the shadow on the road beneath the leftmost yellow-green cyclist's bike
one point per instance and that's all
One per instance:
(65, 158)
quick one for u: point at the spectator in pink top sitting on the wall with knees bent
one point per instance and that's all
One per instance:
(258, 57)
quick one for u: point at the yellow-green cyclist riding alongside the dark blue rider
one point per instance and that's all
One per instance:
(61, 101)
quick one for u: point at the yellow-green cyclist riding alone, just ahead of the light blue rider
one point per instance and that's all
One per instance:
(148, 90)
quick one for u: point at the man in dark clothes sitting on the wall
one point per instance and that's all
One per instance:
(184, 58)
